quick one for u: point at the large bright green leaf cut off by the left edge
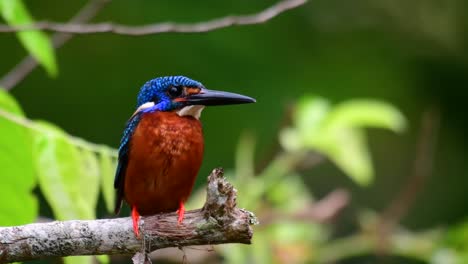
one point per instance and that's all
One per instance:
(16, 166)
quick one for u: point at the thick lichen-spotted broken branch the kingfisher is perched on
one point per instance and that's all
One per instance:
(218, 222)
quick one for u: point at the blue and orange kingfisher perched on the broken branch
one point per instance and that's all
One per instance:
(162, 146)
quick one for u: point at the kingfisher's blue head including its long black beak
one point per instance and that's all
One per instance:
(184, 95)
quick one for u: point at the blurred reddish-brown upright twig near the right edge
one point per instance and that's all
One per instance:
(422, 169)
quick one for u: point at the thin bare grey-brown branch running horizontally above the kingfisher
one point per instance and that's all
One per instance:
(158, 28)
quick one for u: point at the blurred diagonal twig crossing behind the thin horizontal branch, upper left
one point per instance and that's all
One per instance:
(25, 67)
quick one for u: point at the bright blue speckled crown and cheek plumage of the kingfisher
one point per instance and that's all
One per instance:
(156, 90)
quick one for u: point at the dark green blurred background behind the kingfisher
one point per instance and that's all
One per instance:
(412, 54)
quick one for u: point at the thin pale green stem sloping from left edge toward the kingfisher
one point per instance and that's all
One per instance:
(22, 121)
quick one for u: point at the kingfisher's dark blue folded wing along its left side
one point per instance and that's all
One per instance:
(124, 150)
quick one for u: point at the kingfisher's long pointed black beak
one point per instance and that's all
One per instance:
(211, 97)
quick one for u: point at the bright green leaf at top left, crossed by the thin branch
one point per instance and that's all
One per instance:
(36, 42)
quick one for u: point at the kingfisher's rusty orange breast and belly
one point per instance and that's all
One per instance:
(165, 155)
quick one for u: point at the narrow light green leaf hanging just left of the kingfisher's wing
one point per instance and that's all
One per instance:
(107, 168)
